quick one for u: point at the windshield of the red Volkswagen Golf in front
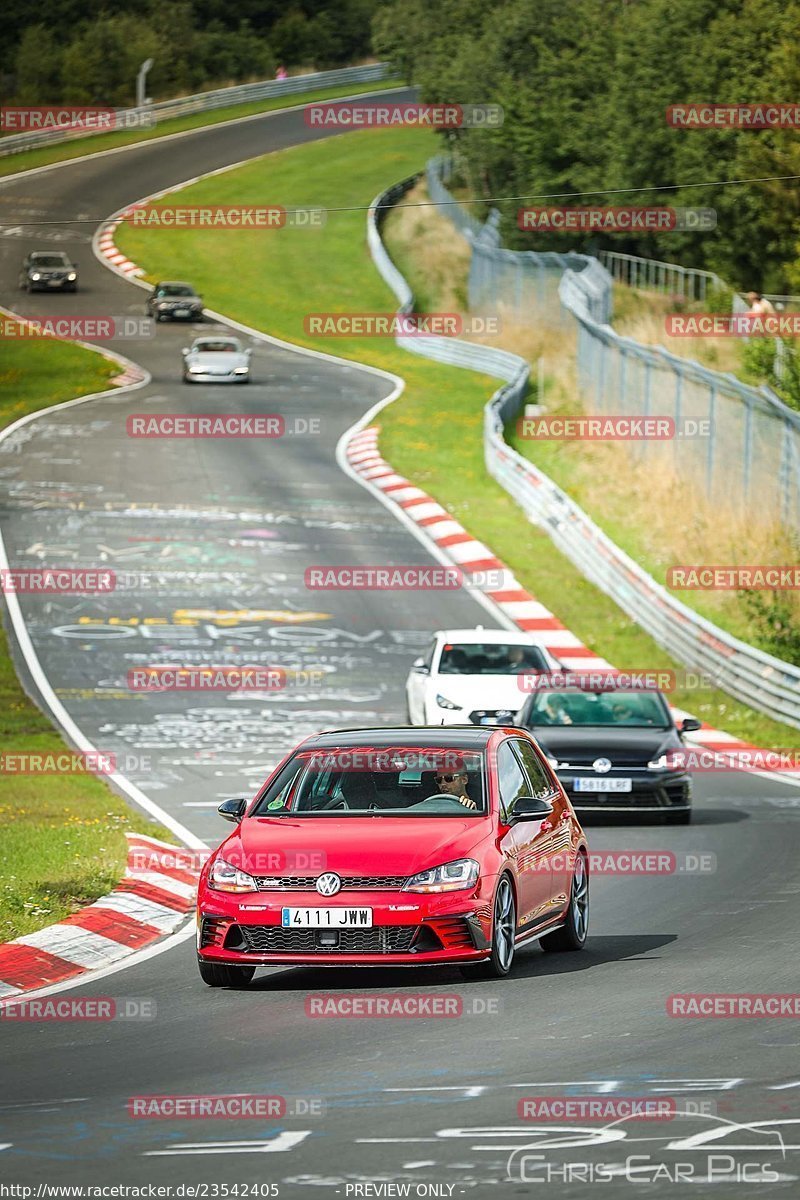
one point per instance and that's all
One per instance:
(378, 782)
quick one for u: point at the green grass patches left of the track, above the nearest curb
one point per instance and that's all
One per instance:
(62, 837)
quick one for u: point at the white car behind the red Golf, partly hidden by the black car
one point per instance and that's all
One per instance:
(473, 676)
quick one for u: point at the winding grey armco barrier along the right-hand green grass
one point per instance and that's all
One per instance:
(751, 676)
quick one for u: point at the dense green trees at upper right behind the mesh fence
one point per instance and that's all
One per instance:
(586, 86)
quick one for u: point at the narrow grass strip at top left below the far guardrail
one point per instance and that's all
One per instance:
(13, 165)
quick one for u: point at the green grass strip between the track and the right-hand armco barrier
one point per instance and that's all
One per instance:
(434, 434)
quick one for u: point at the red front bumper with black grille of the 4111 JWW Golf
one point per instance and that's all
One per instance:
(408, 929)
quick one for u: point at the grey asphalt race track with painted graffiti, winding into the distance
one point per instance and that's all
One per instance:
(214, 538)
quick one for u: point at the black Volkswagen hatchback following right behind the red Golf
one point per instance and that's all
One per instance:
(615, 752)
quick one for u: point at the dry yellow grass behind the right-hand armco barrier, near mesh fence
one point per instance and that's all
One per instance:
(657, 513)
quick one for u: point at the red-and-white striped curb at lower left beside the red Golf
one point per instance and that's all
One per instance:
(153, 899)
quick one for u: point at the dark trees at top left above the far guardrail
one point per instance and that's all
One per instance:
(88, 52)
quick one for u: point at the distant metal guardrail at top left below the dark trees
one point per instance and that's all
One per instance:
(203, 103)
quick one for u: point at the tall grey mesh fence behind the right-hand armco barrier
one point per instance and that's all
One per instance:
(744, 443)
